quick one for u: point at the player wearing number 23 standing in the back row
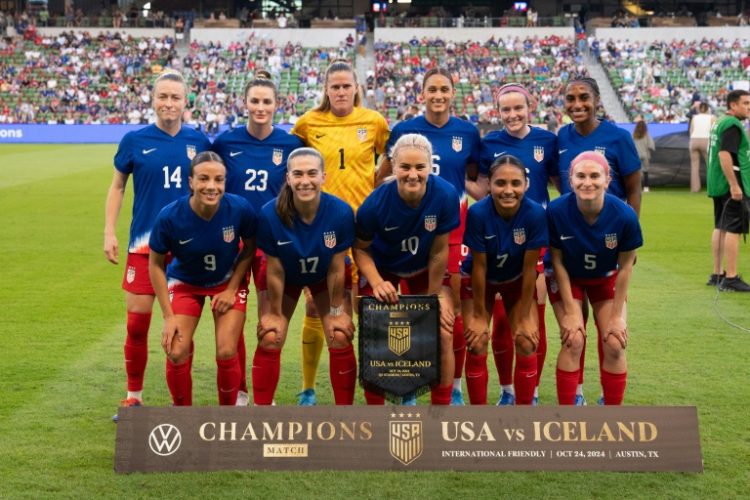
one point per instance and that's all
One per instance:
(256, 157)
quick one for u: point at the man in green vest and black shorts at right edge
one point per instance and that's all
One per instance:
(728, 181)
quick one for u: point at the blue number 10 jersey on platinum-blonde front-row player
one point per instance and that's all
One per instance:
(401, 235)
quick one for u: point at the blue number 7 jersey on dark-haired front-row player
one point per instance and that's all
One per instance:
(504, 241)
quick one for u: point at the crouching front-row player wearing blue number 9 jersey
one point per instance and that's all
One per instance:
(210, 234)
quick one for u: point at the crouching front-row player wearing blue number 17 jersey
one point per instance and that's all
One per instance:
(305, 235)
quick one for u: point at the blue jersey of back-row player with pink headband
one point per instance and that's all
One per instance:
(537, 151)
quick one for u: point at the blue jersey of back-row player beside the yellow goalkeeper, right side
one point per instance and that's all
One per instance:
(453, 146)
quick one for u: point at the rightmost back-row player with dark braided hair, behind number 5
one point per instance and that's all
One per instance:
(588, 133)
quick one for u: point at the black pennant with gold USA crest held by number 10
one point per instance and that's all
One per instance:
(399, 345)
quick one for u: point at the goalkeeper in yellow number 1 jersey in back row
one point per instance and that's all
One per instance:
(349, 137)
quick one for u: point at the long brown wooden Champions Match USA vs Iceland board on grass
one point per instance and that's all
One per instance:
(486, 438)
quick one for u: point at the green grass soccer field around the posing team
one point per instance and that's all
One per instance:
(62, 376)
